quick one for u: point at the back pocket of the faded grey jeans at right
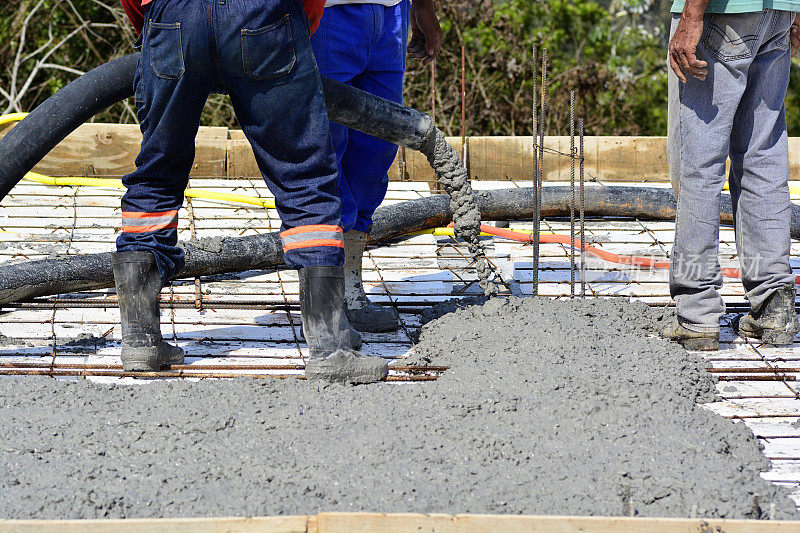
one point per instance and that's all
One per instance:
(733, 36)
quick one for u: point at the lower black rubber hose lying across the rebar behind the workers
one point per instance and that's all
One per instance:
(72, 273)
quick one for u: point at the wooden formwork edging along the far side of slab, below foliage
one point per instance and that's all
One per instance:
(110, 150)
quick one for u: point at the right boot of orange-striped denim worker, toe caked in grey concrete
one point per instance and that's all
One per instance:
(327, 331)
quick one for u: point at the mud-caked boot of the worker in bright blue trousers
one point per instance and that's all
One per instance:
(363, 315)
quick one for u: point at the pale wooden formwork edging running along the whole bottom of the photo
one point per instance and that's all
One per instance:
(404, 523)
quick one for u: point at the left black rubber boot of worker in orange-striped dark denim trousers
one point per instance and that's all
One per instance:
(138, 284)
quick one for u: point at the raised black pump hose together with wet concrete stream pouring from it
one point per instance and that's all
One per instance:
(52, 121)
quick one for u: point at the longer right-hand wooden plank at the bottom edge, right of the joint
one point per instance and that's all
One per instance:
(420, 523)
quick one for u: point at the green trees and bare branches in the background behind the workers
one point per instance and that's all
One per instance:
(610, 52)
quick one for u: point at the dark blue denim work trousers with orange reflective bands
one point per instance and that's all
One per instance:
(258, 51)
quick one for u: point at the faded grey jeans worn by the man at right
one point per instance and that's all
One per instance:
(736, 112)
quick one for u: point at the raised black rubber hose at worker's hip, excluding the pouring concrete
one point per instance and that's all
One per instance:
(50, 123)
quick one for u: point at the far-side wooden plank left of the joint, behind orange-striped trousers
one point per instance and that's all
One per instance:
(111, 149)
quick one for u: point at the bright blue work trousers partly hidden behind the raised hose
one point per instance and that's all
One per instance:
(363, 45)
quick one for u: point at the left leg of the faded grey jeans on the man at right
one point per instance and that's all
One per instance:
(702, 120)
